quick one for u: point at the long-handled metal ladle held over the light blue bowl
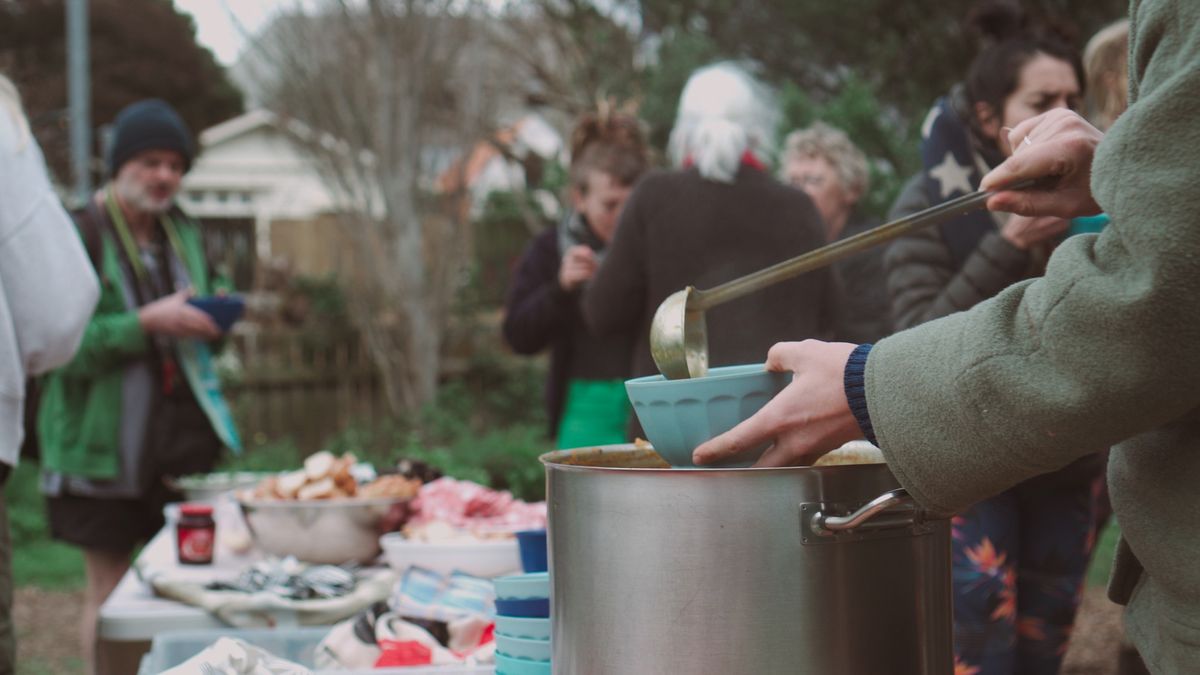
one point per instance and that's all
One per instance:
(679, 334)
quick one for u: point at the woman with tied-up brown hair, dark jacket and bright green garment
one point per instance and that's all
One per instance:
(586, 402)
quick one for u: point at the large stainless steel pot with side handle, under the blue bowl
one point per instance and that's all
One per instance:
(826, 571)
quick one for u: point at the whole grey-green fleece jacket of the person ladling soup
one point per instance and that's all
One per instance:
(1101, 351)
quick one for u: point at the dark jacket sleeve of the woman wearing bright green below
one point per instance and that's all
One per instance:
(537, 308)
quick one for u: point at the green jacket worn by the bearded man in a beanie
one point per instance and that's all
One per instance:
(80, 417)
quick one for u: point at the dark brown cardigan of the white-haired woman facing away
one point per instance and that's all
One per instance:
(680, 230)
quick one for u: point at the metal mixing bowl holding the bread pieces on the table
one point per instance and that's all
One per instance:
(325, 531)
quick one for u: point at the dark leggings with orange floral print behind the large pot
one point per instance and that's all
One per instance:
(1018, 564)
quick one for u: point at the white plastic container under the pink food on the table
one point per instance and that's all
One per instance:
(485, 558)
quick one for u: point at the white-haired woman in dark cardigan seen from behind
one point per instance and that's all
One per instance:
(718, 217)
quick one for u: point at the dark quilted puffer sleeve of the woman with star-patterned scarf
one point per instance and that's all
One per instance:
(923, 283)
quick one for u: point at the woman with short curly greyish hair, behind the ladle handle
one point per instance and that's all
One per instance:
(825, 164)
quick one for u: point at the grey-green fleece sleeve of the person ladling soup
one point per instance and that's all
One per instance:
(1099, 350)
